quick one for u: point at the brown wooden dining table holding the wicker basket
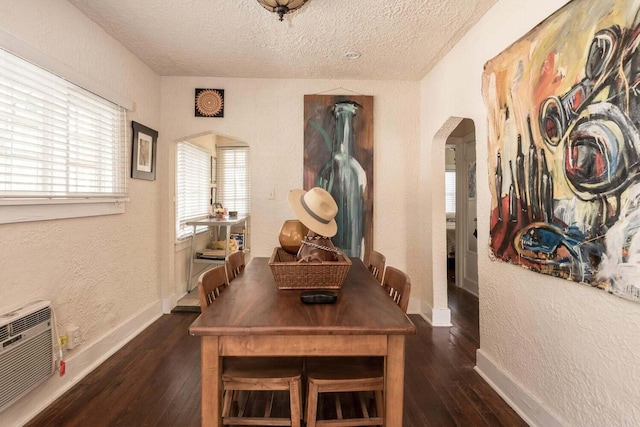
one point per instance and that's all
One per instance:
(253, 318)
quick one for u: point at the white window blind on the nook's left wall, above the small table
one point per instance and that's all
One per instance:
(193, 190)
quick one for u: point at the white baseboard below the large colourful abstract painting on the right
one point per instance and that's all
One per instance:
(531, 411)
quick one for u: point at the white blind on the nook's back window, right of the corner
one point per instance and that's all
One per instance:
(233, 179)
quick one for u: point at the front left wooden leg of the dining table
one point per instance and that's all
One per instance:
(211, 373)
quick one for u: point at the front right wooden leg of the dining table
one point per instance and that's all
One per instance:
(394, 381)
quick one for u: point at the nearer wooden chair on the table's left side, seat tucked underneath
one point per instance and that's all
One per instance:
(247, 374)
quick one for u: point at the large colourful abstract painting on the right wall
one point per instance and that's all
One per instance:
(564, 147)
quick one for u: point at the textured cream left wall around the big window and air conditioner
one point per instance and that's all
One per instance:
(101, 273)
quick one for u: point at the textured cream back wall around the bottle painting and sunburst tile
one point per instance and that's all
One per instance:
(268, 115)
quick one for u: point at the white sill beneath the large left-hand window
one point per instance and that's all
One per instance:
(12, 211)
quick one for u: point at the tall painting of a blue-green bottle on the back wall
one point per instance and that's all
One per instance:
(338, 156)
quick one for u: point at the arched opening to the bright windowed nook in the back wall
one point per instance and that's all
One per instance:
(203, 168)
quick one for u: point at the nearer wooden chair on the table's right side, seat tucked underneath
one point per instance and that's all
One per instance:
(350, 374)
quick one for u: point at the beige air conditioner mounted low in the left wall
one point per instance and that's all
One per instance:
(26, 350)
